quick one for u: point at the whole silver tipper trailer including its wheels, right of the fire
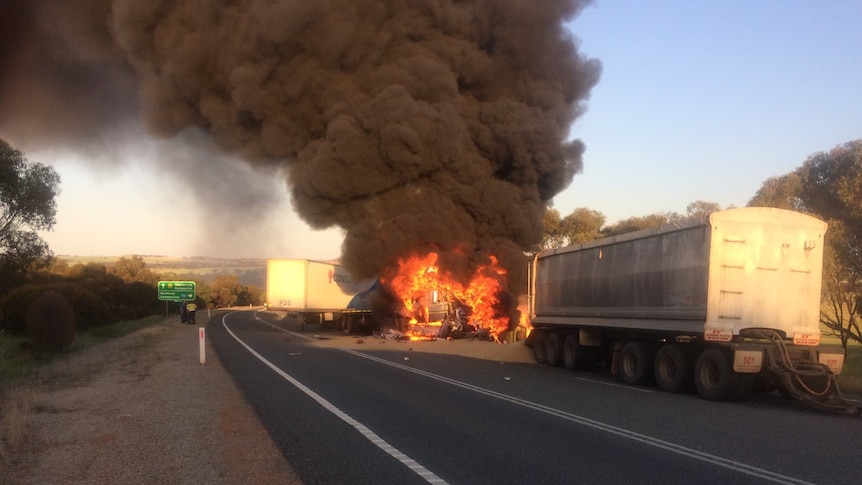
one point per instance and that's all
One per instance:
(723, 301)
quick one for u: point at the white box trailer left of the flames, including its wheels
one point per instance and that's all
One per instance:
(315, 291)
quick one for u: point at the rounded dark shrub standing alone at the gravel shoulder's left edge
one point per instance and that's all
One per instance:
(50, 322)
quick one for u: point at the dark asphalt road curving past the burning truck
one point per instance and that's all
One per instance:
(371, 416)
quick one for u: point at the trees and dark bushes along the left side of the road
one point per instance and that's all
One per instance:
(50, 307)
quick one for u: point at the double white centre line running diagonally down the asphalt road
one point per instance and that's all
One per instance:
(632, 435)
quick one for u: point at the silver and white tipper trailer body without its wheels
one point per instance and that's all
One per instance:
(716, 276)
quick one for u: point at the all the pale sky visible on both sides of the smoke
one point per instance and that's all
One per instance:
(696, 101)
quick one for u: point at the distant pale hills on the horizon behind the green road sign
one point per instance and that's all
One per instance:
(249, 271)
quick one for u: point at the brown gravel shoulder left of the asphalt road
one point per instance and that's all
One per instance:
(142, 409)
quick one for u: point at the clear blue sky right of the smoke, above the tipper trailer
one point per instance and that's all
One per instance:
(705, 100)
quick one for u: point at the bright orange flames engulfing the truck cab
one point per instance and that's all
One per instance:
(422, 287)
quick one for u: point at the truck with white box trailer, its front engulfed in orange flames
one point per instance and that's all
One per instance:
(414, 300)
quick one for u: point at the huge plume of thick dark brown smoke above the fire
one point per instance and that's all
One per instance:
(412, 124)
